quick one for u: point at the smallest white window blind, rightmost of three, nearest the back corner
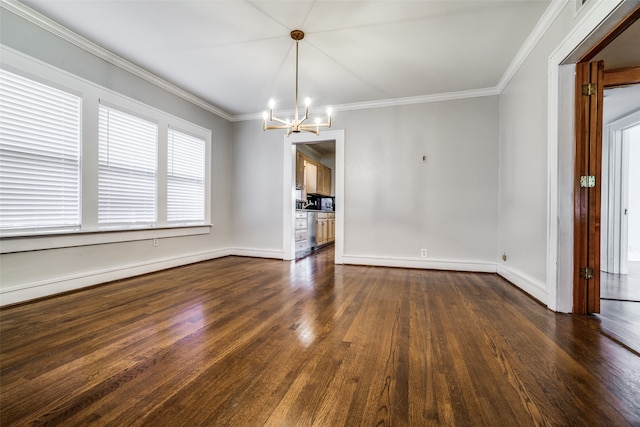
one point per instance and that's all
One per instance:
(185, 180)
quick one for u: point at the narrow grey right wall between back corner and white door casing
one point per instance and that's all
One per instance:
(523, 184)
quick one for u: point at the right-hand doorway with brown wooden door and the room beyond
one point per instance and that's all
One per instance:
(604, 290)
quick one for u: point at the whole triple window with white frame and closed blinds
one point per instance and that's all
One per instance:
(81, 164)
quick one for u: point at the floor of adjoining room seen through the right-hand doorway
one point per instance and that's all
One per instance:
(620, 306)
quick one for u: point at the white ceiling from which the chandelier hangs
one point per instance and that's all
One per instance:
(237, 54)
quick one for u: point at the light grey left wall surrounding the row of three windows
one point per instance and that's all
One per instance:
(26, 275)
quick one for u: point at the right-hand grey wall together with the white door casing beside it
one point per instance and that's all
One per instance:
(536, 151)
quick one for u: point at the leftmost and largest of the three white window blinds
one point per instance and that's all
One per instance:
(40, 136)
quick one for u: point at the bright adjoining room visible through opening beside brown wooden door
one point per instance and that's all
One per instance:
(620, 277)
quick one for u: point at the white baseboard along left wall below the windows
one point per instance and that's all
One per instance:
(29, 291)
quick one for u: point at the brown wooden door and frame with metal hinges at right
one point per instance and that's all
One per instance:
(606, 64)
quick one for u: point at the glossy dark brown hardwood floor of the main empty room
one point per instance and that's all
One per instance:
(250, 342)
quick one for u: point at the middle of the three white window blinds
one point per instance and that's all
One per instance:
(127, 171)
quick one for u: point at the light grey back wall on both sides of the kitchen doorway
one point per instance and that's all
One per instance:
(395, 205)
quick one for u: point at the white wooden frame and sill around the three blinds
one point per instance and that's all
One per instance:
(90, 232)
